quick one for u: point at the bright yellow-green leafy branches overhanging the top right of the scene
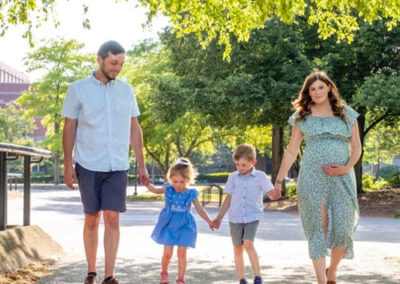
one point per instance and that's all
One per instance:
(219, 19)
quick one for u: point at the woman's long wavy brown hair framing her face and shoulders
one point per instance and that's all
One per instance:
(304, 102)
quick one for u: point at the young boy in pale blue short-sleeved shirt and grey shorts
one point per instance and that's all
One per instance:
(245, 189)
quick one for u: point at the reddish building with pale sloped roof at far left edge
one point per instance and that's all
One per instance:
(12, 84)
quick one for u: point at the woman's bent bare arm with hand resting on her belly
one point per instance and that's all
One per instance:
(339, 170)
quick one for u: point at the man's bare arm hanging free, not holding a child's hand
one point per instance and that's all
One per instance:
(69, 135)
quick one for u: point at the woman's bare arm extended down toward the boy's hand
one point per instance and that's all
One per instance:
(290, 156)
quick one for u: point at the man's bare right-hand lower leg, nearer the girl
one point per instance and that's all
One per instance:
(111, 240)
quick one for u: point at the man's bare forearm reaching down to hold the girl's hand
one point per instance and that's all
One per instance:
(136, 140)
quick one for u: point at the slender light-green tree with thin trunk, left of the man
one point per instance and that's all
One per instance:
(63, 63)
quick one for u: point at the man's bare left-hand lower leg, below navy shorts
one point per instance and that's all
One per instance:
(90, 239)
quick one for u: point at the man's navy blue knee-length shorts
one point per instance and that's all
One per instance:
(102, 190)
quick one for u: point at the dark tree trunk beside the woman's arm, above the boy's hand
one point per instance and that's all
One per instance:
(277, 153)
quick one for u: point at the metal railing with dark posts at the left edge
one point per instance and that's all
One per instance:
(9, 152)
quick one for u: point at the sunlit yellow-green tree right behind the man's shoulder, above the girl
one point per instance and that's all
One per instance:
(169, 131)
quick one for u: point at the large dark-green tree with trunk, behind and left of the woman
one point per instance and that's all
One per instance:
(254, 89)
